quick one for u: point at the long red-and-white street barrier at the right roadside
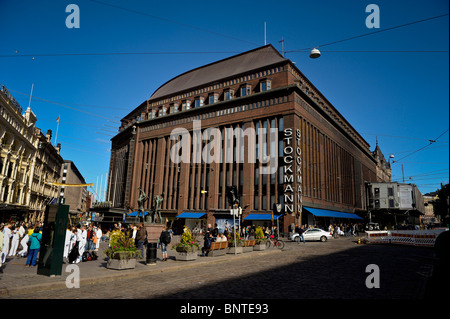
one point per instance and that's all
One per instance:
(424, 238)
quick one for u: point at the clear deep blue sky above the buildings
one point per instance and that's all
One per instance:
(402, 98)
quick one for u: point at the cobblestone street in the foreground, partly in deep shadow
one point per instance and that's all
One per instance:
(335, 269)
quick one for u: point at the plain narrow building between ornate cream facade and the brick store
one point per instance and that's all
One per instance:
(73, 194)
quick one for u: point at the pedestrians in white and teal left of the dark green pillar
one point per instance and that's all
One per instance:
(20, 240)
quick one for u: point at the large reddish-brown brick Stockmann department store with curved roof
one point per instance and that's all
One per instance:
(320, 160)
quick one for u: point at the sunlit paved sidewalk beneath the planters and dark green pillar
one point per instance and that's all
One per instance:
(17, 279)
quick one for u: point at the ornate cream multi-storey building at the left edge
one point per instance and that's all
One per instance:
(28, 163)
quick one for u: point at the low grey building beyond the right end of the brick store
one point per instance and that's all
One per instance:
(393, 203)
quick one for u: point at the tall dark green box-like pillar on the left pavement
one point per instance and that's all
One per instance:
(53, 240)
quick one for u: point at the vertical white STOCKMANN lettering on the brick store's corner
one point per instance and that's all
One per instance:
(292, 171)
